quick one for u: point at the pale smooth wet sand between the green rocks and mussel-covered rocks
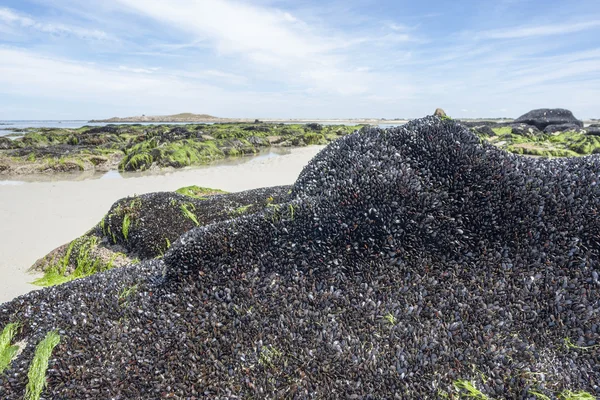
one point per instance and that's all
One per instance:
(37, 217)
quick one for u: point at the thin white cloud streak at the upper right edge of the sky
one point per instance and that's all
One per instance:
(538, 30)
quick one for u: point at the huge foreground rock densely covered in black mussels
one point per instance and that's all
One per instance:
(412, 262)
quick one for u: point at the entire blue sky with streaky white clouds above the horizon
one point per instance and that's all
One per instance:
(73, 59)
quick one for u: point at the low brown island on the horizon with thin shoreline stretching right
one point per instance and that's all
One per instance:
(191, 117)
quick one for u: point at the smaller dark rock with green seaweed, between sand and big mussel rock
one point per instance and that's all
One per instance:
(144, 227)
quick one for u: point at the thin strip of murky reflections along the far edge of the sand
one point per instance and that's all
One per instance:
(263, 155)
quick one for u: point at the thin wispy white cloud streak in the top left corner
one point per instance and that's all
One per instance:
(11, 17)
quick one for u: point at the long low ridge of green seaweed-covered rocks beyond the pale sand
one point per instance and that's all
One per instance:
(143, 147)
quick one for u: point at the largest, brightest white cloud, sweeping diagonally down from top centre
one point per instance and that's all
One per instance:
(274, 44)
